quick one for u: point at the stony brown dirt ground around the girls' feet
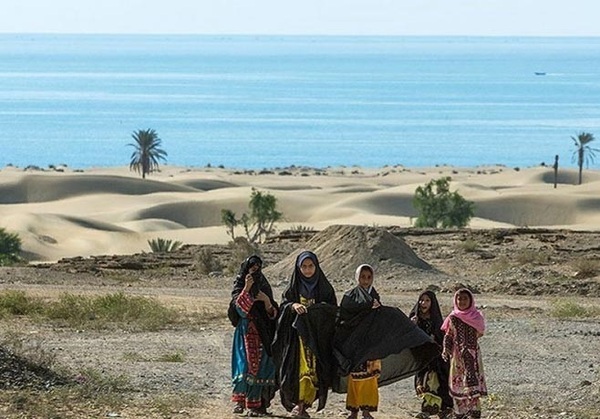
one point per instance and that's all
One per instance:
(537, 365)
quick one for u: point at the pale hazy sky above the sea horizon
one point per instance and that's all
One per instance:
(305, 17)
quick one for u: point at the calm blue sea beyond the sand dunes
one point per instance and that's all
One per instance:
(272, 101)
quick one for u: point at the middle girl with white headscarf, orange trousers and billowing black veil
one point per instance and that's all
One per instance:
(374, 345)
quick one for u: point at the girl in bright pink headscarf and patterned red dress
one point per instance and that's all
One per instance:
(463, 327)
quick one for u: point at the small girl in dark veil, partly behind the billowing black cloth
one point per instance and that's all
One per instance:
(431, 383)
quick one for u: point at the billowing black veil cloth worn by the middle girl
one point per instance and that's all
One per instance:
(386, 333)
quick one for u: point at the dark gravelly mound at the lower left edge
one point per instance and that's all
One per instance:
(16, 372)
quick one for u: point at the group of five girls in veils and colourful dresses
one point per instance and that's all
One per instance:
(307, 344)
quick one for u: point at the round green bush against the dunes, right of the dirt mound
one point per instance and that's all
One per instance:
(438, 207)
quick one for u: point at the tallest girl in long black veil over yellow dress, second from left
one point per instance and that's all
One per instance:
(302, 344)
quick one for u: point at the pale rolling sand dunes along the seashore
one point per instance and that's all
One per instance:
(111, 210)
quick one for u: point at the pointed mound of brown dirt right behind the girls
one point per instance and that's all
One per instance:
(341, 248)
